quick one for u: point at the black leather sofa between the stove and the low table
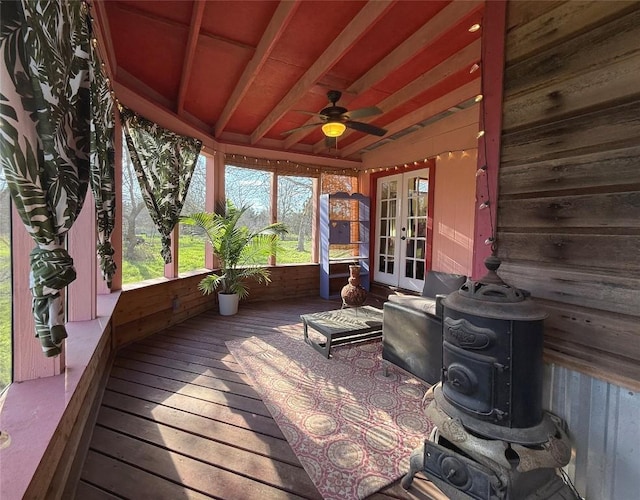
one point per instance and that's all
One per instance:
(412, 327)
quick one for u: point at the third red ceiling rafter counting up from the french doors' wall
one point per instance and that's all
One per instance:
(429, 32)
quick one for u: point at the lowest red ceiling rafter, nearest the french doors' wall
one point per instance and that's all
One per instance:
(444, 103)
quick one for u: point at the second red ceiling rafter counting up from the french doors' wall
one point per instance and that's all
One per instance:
(457, 62)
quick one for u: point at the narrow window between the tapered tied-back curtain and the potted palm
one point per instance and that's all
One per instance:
(191, 246)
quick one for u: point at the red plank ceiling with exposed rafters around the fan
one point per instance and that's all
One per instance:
(239, 70)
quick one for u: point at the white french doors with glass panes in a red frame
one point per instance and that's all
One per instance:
(401, 230)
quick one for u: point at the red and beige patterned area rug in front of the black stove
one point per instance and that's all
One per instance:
(352, 428)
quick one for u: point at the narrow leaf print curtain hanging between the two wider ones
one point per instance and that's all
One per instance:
(102, 164)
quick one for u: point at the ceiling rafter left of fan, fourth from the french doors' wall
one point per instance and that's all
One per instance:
(358, 26)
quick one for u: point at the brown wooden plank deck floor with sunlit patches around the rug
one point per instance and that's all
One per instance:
(180, 420)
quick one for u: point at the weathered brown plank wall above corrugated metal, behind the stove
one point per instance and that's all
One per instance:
(569, 178)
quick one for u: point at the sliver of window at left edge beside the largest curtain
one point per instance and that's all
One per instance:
(6, 344)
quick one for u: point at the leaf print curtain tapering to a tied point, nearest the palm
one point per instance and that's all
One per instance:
(164, 162)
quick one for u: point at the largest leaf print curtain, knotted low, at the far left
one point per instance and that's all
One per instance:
(44, 141)
